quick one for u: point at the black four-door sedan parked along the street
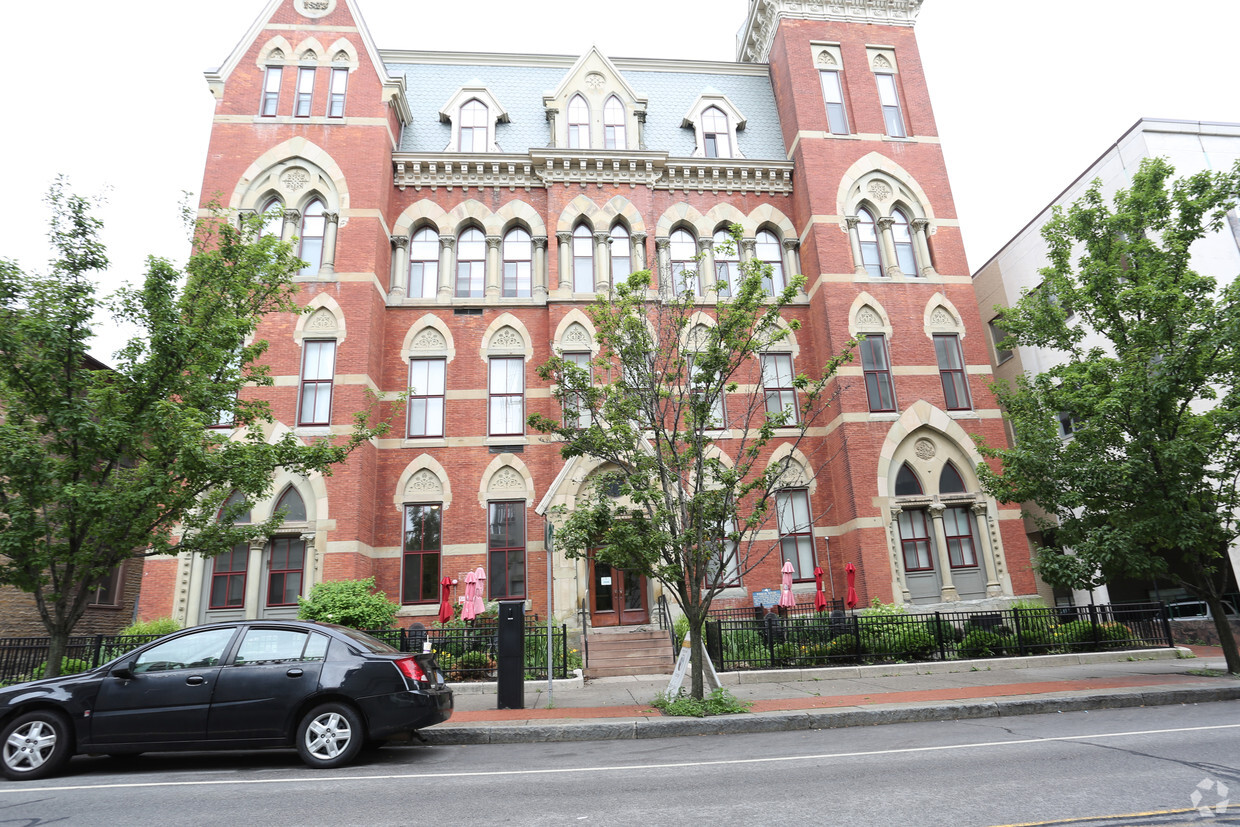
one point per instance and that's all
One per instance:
(247, 685)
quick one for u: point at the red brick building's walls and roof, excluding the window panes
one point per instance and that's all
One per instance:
(391, 167)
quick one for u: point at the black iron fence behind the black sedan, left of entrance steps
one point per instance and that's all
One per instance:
(466, 654)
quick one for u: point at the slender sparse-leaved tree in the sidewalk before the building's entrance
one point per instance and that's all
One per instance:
(675, 412)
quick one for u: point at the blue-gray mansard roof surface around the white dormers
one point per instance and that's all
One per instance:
(520, 90)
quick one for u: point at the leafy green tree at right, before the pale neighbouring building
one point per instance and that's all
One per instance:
(1146, 487)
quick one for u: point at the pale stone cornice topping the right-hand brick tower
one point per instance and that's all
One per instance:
(755, 40)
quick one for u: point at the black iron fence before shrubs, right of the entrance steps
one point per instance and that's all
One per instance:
(885, 638)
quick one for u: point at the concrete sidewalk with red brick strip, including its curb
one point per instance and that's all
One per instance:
(823, 699)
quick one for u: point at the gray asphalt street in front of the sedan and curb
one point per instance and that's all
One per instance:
(1130, 767)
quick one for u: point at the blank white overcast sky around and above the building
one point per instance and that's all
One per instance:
(1026, 95)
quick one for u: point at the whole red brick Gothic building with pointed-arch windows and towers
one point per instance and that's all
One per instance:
(459, 211)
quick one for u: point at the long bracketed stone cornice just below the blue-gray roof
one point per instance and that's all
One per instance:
(544, 168)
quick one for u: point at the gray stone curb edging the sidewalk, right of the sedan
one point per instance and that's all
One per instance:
(778, 722)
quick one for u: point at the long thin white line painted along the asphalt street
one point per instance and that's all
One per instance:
(821, 757)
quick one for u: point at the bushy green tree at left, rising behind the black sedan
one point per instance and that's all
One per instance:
(101, 466)
